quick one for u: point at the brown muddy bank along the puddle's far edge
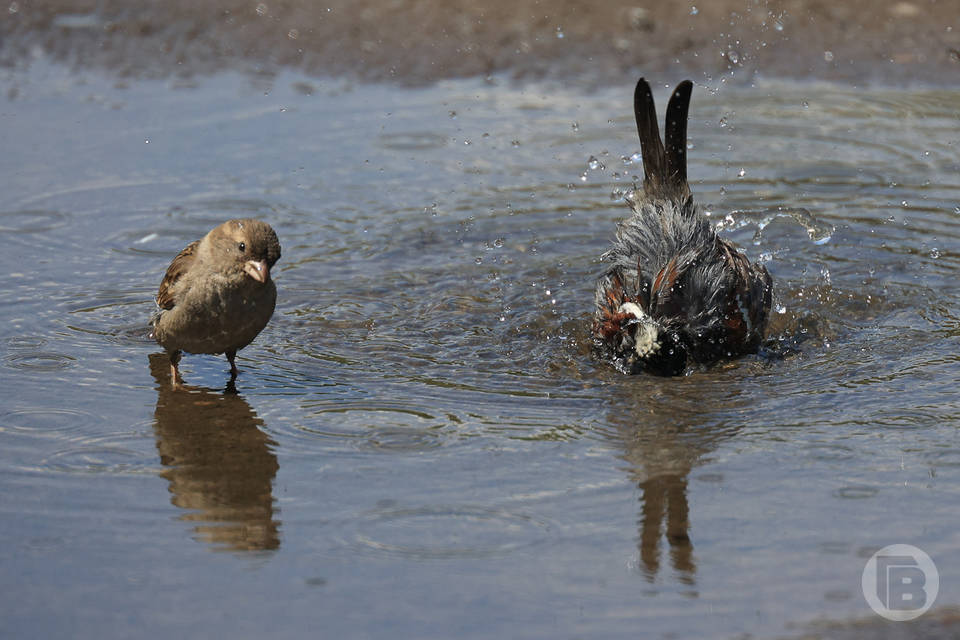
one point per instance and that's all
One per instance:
(414, 42)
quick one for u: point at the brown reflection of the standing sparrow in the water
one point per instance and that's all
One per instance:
(218, 462)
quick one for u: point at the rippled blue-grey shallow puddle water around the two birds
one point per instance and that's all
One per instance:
(421, 444)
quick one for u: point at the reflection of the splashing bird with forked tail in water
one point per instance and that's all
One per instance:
(664, 436)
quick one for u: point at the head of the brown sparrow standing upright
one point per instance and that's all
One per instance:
(245, 246)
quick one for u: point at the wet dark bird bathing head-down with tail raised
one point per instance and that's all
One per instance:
(676, 294)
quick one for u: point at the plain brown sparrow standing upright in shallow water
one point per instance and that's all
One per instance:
(217, 294)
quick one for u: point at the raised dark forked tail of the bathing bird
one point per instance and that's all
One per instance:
(664, 165)
